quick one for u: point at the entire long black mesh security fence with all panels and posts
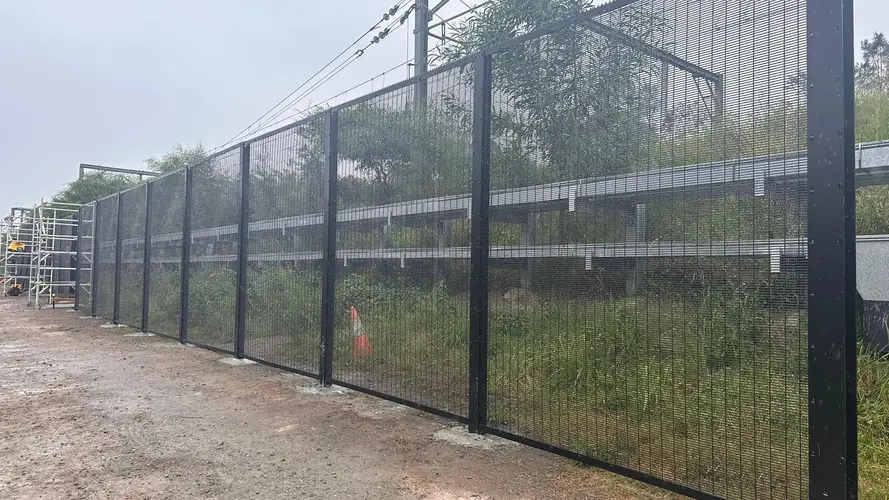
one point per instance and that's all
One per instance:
(596, 238)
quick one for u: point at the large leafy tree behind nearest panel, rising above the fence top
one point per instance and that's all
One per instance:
(574, 102)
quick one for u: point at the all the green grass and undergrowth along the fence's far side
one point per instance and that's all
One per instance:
(708, 389)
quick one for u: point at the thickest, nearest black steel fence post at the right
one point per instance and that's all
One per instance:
(833, 463)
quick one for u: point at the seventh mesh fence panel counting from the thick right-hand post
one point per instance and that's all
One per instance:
(106, 232)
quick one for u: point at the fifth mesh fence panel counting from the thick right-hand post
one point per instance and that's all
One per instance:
(167, 212)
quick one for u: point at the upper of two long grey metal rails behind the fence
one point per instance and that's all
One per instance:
(752, 175)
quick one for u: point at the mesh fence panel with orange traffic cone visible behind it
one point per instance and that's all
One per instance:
(409, 338)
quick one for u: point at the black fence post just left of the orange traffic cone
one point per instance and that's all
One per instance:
(328, 284)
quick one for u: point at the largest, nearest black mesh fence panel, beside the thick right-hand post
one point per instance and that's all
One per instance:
(655, 319)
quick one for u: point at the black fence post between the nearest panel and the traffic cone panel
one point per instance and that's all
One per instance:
(478, 287)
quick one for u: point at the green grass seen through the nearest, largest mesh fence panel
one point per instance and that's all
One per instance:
(687, 390)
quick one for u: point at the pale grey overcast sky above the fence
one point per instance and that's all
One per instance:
(114, 82)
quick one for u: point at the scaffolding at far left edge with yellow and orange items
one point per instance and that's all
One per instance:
(18, 229)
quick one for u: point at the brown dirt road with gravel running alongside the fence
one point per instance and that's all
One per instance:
(92, 412)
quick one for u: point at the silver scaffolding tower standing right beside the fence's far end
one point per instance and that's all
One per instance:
(53, 254)
